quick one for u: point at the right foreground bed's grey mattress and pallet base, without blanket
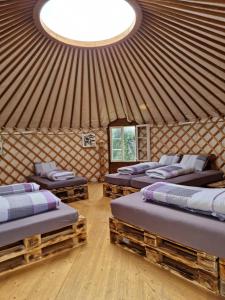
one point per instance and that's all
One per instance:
(189, 245)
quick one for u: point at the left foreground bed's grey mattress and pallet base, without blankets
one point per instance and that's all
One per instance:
(32, 239)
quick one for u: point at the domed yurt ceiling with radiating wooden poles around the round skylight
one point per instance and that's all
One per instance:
(171, 68)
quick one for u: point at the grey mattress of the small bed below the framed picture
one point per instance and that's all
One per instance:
(49, 184)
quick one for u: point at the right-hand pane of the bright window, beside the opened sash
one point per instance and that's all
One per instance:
(129, 143)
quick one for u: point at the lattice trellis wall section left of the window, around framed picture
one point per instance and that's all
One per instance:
(22, 148)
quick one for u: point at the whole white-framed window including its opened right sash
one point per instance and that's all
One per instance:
(130, 143)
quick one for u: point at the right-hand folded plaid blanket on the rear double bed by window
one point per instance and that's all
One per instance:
(169, 171)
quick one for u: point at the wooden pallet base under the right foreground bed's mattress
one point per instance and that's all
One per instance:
(198, 267)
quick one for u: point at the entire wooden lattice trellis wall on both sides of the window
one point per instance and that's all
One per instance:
(21, 149)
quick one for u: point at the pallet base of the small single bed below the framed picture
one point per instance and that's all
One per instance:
(72, 193)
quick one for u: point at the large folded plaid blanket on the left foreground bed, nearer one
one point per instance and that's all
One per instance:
(27, 204)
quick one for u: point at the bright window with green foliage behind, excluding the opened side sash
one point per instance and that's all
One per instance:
(123, 143)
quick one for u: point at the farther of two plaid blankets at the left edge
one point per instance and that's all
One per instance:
(18, 188)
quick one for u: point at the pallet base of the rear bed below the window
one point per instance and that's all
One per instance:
(115, 191)
